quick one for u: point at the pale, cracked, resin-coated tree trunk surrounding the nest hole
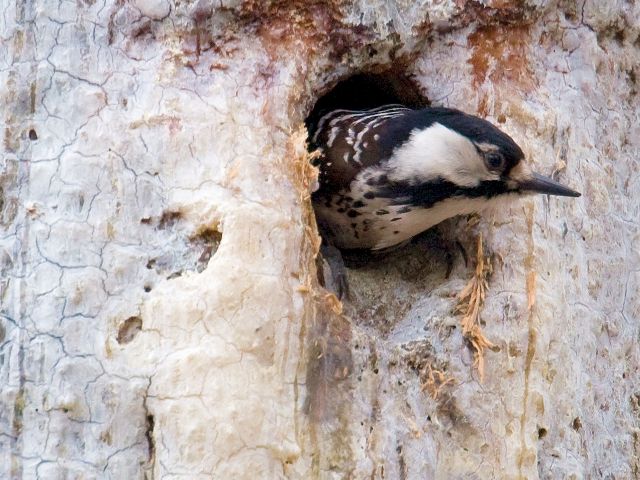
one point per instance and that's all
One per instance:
(137, 341)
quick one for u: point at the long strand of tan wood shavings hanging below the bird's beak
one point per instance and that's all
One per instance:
(470, 301)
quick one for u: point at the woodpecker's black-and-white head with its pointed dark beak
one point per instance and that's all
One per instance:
(470, 154)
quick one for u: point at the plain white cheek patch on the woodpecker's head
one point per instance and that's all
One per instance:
(439, 152)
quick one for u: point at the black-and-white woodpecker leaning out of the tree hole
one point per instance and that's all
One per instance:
(389, 173)
